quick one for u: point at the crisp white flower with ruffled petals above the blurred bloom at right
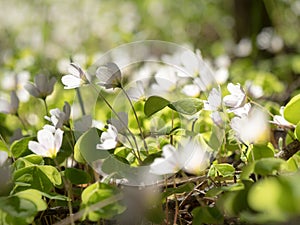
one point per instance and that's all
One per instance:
(237, 96)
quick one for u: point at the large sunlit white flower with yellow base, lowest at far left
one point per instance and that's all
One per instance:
(49, 142)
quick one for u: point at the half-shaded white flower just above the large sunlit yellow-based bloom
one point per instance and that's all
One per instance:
(58, 117)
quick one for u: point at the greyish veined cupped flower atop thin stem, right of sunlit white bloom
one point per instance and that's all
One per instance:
(109, 76)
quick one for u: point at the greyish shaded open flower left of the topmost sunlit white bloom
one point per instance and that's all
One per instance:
(42, 86)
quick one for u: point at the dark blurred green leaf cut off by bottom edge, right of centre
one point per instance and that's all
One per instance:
(207, 215)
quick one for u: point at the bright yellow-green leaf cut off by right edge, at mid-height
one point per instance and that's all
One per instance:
(292, 109)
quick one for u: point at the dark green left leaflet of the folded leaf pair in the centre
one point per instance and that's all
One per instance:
(154, 104)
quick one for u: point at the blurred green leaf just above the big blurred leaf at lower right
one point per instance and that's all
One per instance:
(268, 166)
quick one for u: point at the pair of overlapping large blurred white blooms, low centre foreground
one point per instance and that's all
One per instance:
(192, 156)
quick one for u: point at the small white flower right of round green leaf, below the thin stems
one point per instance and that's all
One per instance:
(108, 138)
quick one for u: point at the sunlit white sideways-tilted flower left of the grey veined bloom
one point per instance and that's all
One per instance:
(76, 77)
